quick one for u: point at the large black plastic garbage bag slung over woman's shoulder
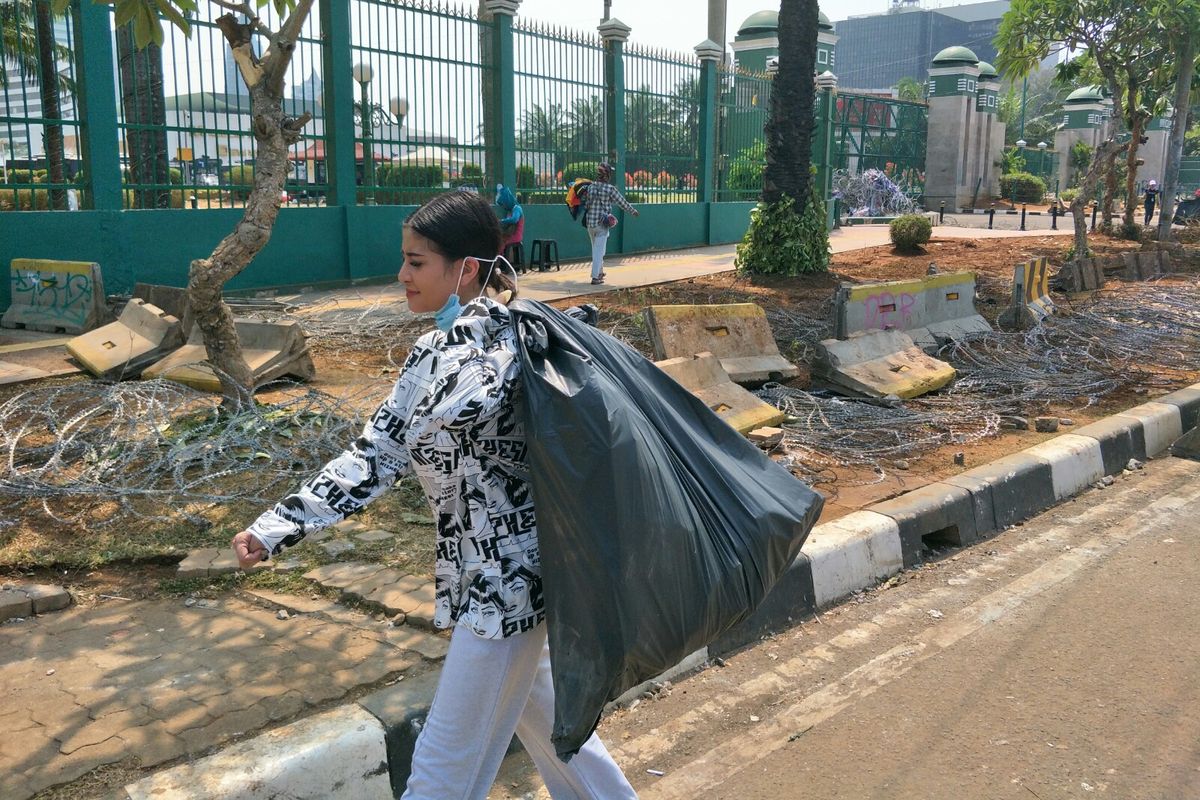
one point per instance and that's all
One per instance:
(659, 526)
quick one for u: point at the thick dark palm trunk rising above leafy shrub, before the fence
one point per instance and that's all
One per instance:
(793, 97)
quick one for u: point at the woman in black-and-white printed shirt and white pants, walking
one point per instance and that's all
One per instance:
(451, 422)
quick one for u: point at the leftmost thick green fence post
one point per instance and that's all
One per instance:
(98, 106)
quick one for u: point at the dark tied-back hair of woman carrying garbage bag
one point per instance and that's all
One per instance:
(460, 225)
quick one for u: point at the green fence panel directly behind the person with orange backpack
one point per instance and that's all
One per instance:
(562, 129)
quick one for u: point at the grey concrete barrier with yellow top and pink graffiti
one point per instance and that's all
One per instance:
(928, 310)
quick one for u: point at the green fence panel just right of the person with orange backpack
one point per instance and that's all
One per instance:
(663, 109)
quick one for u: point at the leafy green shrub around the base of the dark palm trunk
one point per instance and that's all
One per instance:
(782, 242)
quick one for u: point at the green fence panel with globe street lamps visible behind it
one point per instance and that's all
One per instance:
(423, 73)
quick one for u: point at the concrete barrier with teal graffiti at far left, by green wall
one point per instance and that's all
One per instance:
(56, 297)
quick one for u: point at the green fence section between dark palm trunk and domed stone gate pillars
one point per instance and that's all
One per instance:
(879, 134)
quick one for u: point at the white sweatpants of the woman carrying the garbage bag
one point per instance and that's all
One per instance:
(489, 690)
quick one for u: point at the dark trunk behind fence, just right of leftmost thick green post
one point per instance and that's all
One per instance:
(145, 105)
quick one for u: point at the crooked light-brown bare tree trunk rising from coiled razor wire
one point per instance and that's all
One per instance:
(274, 134)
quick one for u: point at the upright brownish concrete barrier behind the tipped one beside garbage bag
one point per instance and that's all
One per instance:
(737, 334)
